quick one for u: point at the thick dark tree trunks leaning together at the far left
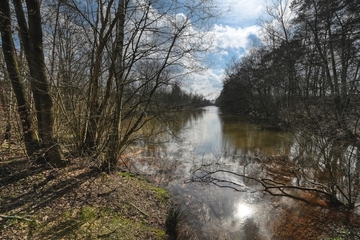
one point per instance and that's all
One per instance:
(30, 28)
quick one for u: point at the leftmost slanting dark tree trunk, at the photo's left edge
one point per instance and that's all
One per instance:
(29, 136)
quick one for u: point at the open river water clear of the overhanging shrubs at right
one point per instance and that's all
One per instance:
(212, 137)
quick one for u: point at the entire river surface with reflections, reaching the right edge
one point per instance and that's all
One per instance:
(207, 137)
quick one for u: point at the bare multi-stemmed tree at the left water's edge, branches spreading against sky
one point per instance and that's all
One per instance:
(138, 49)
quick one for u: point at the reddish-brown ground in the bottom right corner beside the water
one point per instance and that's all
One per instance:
(313, 222)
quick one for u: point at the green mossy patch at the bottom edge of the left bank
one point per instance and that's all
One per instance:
(96, 223)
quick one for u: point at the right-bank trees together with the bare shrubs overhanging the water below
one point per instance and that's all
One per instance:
(304, 76)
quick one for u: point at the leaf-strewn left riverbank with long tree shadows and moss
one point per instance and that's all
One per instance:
(77, 202)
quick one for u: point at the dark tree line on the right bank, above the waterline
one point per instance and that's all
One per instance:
(307, 65)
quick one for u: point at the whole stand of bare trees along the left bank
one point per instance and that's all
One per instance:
(89, 74)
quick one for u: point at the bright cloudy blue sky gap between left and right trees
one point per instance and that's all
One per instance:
(234, 34)
